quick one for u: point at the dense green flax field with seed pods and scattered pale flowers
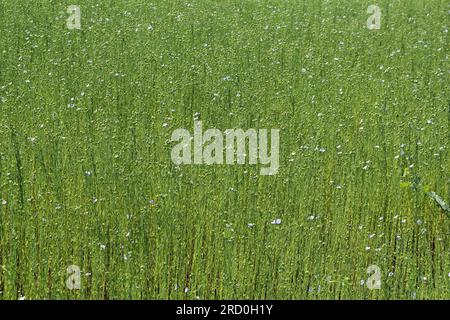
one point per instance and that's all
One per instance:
(86, 175)
